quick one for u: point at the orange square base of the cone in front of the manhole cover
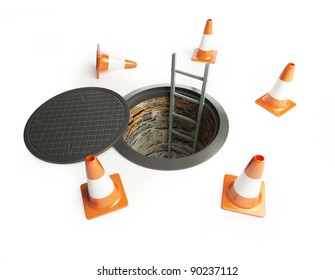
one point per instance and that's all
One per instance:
(93, 212)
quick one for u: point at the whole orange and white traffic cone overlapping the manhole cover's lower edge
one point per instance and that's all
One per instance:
(101, 194)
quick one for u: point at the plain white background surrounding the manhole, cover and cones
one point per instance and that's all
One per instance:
(174, 219)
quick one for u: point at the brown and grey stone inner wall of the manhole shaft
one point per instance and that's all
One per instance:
(148, 129)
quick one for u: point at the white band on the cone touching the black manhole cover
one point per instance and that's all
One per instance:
(101, 187)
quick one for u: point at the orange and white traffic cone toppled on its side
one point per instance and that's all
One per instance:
(103, 63)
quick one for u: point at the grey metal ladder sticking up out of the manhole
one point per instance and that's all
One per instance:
(172, 113)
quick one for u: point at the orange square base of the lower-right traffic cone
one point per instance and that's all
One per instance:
(227, 204)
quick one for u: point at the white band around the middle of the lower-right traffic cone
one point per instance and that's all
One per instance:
(247, 187)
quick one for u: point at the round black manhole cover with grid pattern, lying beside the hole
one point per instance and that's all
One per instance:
(76, 123)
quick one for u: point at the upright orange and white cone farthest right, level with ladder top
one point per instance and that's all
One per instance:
(276, 101)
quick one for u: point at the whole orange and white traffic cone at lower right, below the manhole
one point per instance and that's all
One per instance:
(246, 193)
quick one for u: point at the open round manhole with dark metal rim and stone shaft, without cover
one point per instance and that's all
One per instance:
(145, 142)
